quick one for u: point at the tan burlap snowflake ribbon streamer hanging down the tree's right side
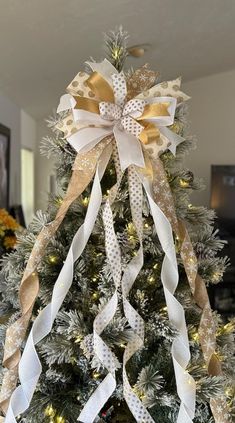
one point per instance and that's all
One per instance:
(207, 328)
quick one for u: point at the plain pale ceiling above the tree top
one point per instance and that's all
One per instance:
(43, 43)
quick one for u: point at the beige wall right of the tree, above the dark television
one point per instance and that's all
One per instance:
(212, 116)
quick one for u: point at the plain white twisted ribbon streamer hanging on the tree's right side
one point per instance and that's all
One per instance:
(186, 386)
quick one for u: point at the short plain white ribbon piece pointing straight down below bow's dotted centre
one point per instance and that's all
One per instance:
(129, 149)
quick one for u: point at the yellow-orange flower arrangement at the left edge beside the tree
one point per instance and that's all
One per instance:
(8, 226)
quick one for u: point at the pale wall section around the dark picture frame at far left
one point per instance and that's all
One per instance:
(10, 116)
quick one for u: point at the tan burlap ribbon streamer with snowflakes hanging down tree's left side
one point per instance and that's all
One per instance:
(83, 171)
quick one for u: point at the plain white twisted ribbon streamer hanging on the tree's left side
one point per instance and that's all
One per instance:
(30, 367)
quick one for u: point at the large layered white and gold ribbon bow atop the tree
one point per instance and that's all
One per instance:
(138, 124)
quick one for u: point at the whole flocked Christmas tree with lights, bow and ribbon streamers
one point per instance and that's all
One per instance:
(121, 329)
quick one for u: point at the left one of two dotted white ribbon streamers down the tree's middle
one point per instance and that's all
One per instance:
(105, 355)
